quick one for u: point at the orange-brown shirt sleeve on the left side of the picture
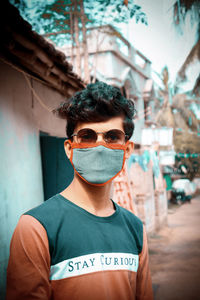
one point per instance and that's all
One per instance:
(29, 262)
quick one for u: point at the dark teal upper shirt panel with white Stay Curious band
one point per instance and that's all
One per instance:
(80, 242)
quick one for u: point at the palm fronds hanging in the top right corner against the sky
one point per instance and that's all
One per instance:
(181, 9)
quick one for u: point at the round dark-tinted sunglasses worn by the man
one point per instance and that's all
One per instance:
(89, 136)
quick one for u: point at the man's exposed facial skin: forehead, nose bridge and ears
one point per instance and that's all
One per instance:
(113, 123)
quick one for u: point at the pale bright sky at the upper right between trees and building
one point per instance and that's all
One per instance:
(160, 42)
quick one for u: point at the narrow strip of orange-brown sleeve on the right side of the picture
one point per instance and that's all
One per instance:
(144, 284)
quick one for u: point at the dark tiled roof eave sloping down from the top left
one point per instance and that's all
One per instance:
(33, 54)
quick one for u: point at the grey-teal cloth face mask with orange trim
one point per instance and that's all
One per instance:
(99, 163)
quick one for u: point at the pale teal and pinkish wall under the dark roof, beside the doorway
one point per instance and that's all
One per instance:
(21, 118)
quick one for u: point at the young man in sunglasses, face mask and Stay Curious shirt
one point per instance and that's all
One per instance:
(80, 245)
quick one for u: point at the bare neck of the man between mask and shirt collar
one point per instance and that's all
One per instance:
(95, 199)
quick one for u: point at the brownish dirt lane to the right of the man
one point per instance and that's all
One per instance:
(175, 254)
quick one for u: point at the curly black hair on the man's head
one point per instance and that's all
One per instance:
(96, 103)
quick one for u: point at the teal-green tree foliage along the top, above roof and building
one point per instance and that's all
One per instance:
(53, 16)
